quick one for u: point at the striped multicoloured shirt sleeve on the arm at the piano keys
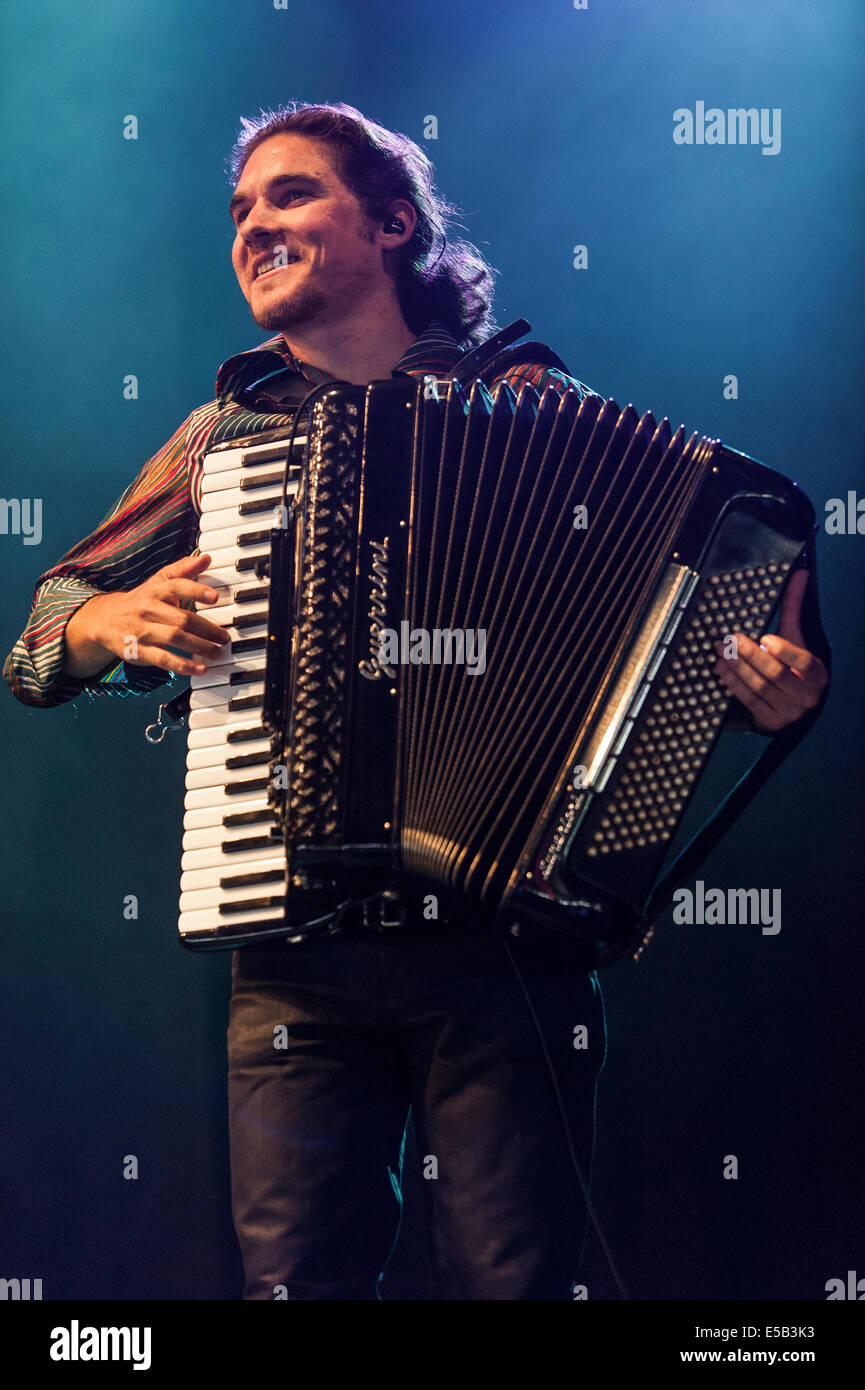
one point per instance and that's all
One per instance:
(152, 523)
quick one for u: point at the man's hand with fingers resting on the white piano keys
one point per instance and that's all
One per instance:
(148, 621)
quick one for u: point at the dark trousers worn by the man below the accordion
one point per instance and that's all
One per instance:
(329, 1046)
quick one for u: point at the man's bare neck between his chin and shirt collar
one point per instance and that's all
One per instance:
(359, 348)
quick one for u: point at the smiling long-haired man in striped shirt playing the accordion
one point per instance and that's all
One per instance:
(341, 250)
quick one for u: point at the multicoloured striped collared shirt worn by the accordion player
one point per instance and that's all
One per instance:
(156, 521)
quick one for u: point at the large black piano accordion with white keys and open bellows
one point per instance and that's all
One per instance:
(472, 658)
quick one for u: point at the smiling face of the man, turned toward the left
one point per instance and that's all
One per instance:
(293, 205)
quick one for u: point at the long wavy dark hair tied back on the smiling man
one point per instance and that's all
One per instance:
(437, 277)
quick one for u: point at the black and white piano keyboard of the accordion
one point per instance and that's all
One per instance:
(234, 860)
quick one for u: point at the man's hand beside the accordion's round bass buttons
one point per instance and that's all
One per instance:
(778, 680)
